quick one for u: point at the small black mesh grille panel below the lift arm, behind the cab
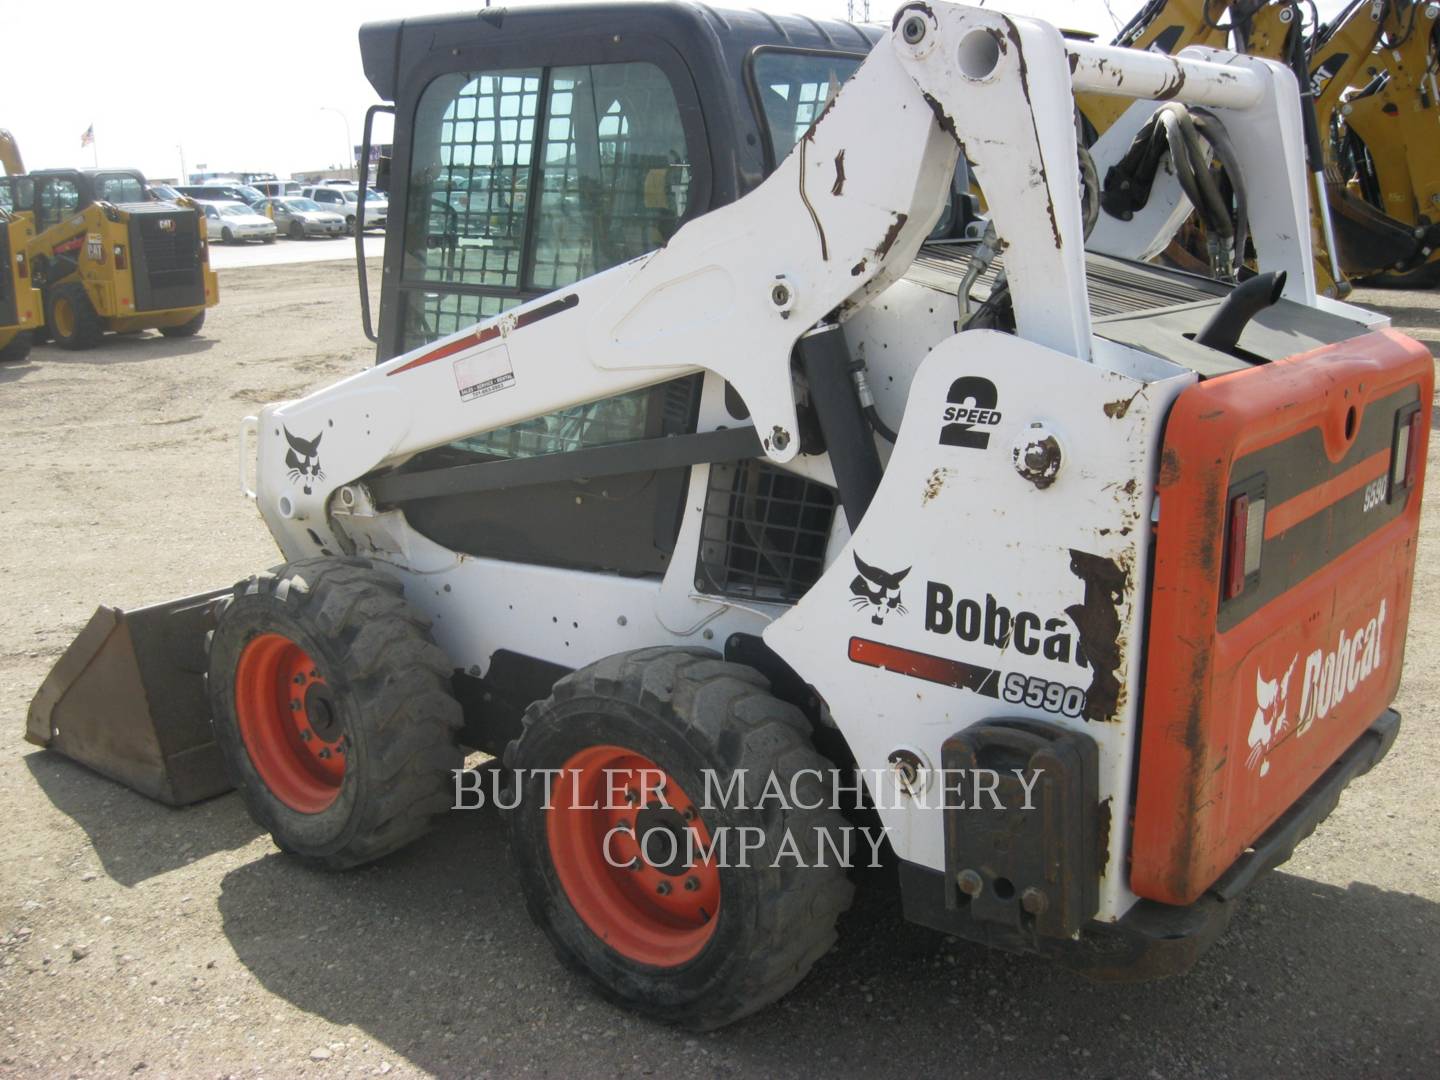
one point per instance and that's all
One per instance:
(764, 534)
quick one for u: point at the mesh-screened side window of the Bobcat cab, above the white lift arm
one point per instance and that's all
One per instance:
(521, 175)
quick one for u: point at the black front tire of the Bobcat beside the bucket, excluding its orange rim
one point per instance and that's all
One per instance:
(392, 690)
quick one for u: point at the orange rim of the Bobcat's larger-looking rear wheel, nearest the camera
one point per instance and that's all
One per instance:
(633, 856)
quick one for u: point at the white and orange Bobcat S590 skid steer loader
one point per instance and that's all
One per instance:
(1097, 640)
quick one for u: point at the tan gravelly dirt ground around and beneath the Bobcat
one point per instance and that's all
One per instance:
(138, 940)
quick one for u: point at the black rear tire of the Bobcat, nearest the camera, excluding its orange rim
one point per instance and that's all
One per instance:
(689, 711)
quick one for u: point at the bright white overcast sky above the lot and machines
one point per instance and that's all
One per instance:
(269, 87)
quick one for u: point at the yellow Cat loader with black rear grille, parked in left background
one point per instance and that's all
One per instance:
(109, 260)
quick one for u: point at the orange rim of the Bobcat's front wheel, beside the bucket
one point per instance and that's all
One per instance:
(290, 724)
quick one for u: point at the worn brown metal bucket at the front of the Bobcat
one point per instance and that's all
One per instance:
(127, 699)
